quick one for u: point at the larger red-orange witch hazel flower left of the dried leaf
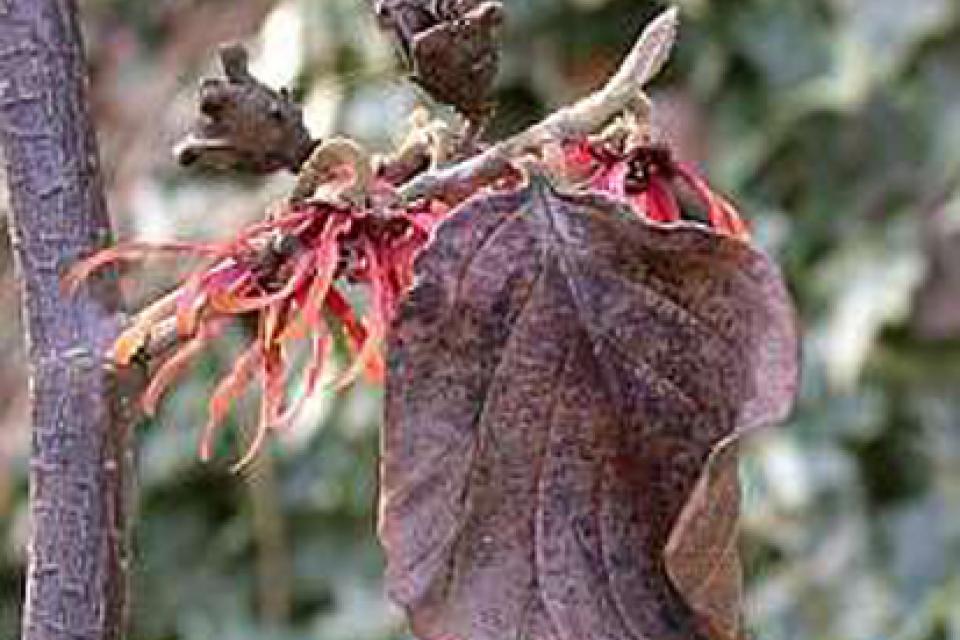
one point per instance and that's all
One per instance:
(282, 271)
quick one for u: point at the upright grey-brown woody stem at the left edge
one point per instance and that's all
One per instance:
(76, 580)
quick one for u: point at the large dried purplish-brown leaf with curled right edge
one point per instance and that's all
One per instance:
(559, 377)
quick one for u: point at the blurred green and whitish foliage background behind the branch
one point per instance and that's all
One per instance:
(835, 124)
